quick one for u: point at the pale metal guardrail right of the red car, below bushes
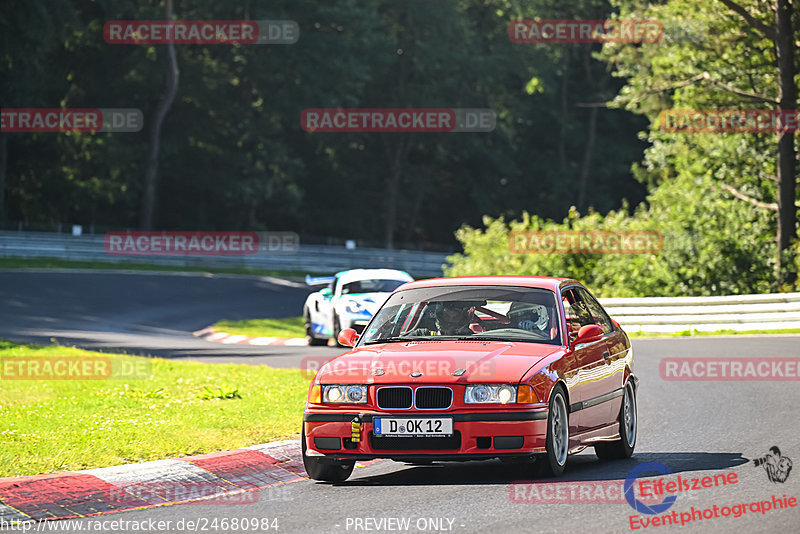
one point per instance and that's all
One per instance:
(675, 314)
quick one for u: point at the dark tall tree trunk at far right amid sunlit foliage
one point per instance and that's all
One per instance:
(787, 211)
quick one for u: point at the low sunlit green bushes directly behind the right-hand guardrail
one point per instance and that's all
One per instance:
(713, 245)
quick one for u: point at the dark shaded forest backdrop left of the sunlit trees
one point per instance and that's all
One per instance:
(233, 155)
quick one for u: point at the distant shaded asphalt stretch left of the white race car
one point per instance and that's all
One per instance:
(145, 313)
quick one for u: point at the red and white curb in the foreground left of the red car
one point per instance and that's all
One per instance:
(219, 478)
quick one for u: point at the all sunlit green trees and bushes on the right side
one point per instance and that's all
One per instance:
(715, 243)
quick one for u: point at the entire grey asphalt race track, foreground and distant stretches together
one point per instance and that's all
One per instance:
(693, 428)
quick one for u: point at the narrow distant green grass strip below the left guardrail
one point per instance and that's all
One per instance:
(55, 263)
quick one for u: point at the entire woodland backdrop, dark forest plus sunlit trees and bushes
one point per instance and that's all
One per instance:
(233, 155)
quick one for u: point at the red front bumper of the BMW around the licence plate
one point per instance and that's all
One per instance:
(476, 435)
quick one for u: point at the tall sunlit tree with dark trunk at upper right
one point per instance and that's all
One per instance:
(750, 61)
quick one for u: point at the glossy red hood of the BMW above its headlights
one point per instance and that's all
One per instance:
(437, 362)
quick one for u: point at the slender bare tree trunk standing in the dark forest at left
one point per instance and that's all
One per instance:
(149, 198)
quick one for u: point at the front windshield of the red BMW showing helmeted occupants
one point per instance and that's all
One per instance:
(470, 313)
